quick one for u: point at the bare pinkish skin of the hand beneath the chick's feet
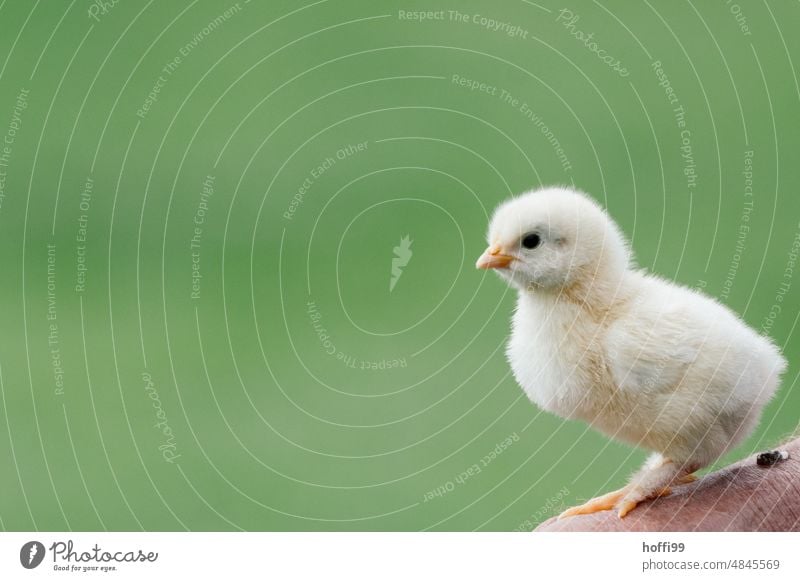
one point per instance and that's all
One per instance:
(739, 497)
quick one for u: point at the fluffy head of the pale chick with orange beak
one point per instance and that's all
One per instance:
(554, 238)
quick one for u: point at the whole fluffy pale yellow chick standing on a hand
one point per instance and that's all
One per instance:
(640, 358)
